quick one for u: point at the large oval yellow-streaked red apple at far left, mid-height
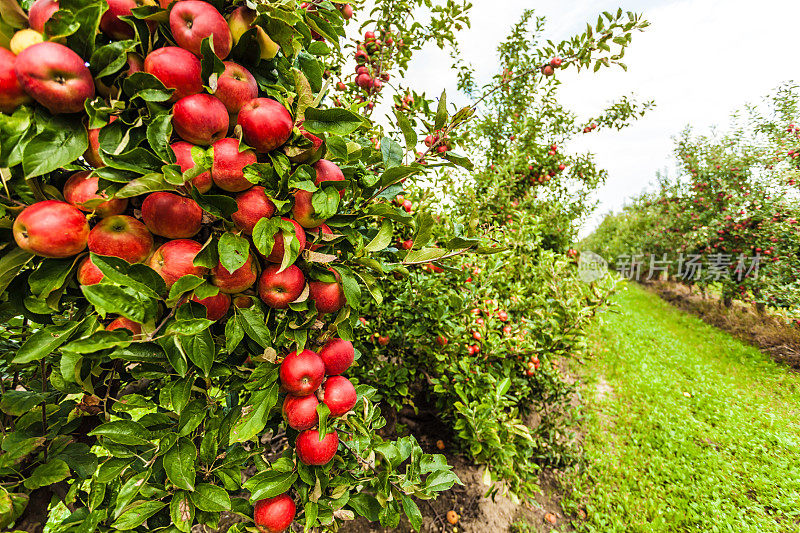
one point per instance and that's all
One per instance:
(51, 229)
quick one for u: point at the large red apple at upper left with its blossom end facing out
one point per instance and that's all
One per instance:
(55, 76)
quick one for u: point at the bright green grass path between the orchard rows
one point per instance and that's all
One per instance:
(687, 428)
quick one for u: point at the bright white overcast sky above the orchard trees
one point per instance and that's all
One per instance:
(699, 60)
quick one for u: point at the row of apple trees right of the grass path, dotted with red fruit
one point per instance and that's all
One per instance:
(729, 219)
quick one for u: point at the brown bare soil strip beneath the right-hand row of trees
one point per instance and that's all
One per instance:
(770, 334)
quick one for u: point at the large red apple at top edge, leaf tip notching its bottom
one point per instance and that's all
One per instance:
(191, 21)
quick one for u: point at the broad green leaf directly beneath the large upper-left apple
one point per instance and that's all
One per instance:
(61, 142)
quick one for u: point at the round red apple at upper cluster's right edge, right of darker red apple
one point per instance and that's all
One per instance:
(266, 124)
